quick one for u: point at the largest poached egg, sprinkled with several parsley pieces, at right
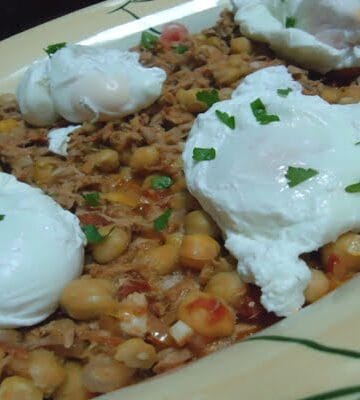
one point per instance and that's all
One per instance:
(267, 222)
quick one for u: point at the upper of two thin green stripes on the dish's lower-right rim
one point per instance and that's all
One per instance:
(309, 343)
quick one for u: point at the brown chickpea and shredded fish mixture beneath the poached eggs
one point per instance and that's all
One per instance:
(159, 288)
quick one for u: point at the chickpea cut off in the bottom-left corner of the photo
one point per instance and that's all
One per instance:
(17, 388)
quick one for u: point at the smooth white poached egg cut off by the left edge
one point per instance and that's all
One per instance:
(41, 250)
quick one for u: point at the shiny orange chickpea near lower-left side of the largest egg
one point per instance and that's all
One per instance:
(198, 250)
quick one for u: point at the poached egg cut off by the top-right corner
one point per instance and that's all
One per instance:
(322, 35)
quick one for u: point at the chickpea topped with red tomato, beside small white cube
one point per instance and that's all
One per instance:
(208, 315)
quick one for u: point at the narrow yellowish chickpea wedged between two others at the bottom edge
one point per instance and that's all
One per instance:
(72, 388)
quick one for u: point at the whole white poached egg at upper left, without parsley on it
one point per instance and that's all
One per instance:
(80, 83)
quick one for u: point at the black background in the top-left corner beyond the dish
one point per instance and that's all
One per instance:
(19, 15)
